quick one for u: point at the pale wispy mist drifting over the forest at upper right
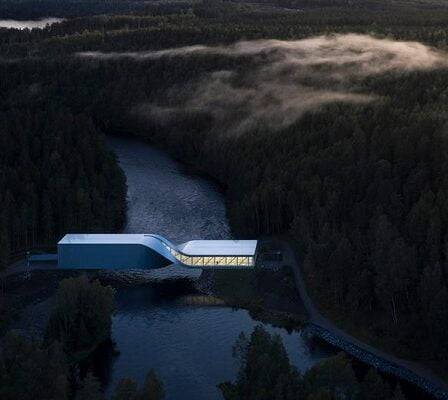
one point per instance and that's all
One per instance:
(292, 77)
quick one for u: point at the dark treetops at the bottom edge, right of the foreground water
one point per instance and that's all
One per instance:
(267, 374)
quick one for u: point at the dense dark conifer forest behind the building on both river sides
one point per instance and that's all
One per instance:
(360, 186)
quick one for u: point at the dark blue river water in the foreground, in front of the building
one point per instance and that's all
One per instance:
(190, 347)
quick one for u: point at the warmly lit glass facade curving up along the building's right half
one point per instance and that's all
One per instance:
(211, 261)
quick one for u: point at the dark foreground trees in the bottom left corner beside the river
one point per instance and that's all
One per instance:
(33, 369)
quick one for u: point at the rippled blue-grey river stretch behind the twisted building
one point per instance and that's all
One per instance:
(165, 200)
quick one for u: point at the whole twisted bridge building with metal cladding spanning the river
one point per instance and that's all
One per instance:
(141, 251)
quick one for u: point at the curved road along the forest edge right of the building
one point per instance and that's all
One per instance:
(316, 318)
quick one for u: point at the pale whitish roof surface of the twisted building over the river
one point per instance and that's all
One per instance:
(194, 247)
